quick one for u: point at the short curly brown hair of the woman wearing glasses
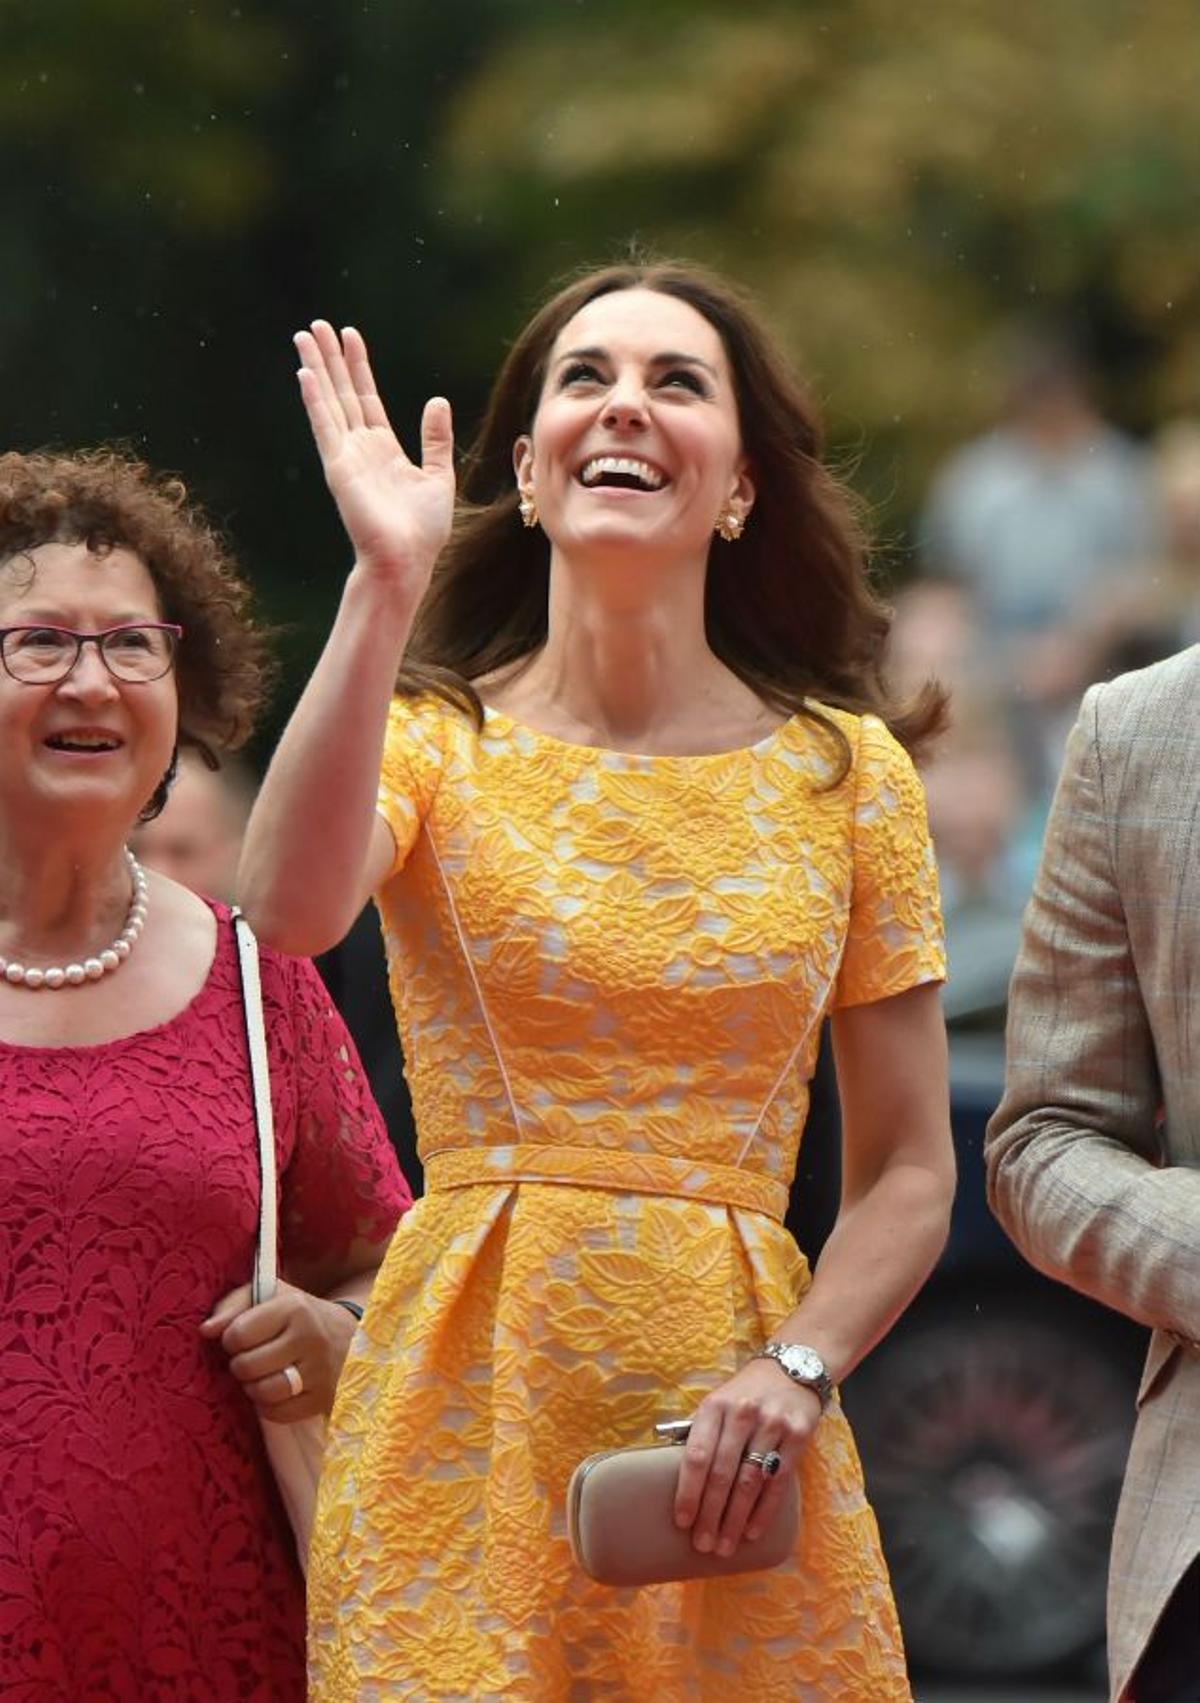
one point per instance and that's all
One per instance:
(106, 500)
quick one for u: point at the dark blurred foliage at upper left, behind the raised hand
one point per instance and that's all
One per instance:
(183, 186)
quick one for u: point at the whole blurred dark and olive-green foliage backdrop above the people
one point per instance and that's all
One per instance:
(188, 183)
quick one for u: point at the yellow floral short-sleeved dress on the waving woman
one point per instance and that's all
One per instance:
(610, 975)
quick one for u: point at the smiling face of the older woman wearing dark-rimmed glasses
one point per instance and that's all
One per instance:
(89, 743)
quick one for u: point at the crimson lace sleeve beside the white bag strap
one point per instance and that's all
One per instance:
(341, 1181)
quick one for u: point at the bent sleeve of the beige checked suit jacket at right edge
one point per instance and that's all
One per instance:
(1075, 1162)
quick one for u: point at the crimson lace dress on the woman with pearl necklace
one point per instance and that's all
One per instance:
(144, 1554)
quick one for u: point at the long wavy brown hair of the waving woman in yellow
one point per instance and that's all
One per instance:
(789, 607)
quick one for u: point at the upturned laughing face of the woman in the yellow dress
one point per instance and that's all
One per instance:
(636, 442)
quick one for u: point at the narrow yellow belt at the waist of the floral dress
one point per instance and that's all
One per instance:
(610, 1169)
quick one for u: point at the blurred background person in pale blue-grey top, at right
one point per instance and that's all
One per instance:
(1049, 520)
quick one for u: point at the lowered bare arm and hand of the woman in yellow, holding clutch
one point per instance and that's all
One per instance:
(898, 1186)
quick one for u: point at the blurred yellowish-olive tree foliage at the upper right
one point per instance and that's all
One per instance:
(896, 186)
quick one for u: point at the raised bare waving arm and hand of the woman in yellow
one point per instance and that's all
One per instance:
(316, 849)
